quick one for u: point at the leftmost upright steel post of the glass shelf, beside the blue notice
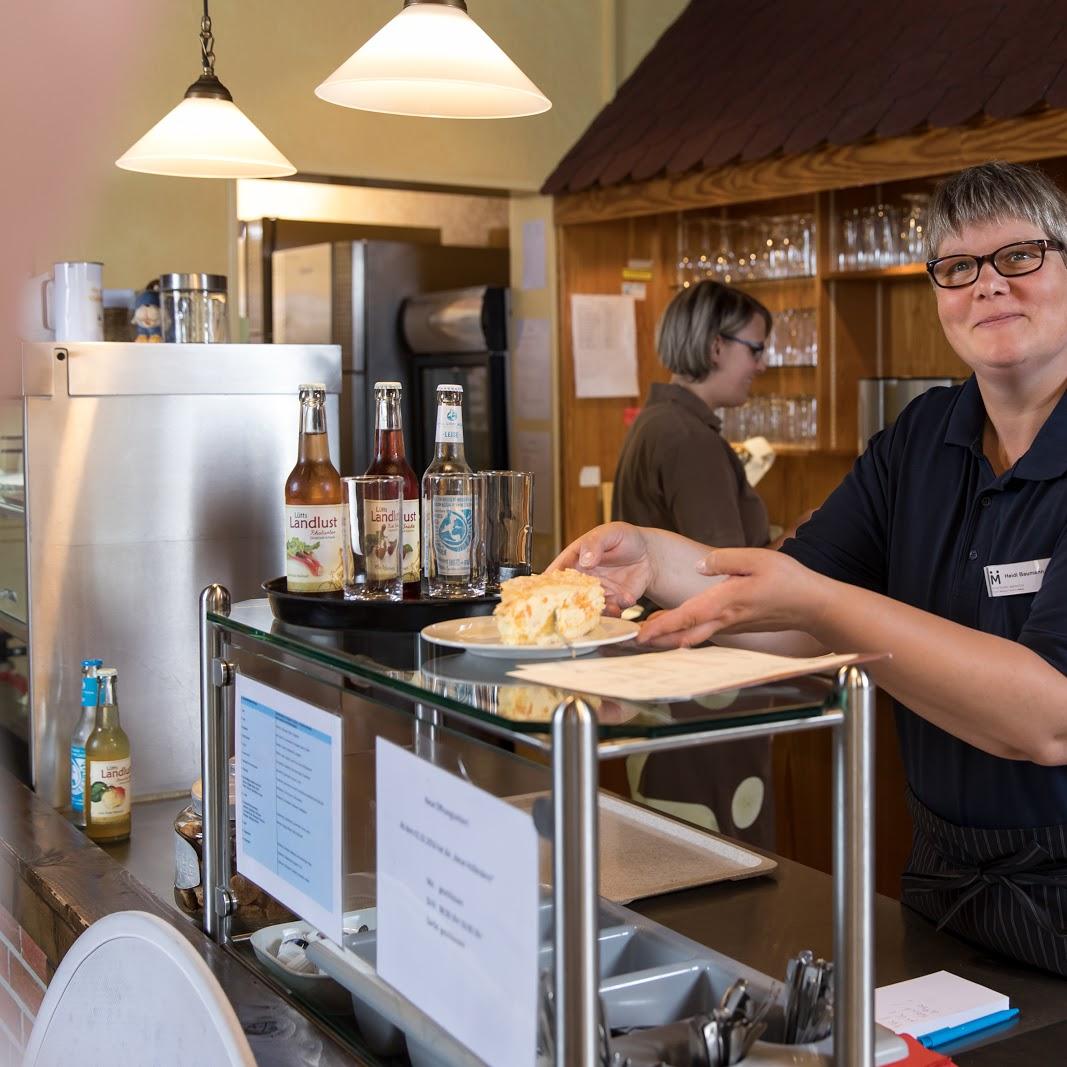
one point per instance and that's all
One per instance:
(215, 766)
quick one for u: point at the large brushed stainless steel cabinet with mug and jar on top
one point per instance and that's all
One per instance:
(147, 472)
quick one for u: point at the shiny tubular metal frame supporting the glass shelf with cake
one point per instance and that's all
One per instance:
(576, 751)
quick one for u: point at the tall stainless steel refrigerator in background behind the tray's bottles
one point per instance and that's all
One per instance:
(352, 294)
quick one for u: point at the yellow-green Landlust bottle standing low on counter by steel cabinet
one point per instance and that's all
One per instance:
(107, 768)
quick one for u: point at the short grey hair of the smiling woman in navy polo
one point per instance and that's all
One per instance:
(993, 193)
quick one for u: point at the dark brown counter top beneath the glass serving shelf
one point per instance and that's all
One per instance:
(760, 922)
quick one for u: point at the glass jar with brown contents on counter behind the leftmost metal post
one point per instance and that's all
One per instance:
(256, 909)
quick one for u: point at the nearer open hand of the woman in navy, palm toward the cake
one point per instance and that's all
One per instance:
(759, 592)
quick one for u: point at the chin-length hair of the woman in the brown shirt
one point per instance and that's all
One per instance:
(693, 321)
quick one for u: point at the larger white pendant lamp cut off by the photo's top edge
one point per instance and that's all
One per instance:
(434, 60)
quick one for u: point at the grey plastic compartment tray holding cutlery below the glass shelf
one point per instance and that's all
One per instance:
(650, 977)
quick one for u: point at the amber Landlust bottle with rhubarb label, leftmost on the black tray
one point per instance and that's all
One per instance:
(313, 504)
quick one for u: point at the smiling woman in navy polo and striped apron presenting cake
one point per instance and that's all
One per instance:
(946, 546)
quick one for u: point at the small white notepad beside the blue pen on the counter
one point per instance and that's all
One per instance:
(938, 1001)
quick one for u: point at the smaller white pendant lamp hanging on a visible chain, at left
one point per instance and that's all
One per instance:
(206, 136)
